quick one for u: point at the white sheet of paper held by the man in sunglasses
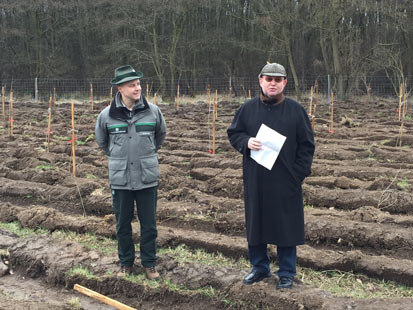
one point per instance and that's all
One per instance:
(272, 142)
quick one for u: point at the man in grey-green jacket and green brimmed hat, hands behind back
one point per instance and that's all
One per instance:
(130, 131)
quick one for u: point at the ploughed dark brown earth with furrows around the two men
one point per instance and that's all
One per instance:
(359, 208)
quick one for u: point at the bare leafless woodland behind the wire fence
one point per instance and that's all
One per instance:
(191, 41)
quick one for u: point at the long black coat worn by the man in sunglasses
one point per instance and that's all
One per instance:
(274, 212)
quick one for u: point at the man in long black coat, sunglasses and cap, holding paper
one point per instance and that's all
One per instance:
(274, 212)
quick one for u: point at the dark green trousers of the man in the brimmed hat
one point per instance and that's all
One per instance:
(123, 207)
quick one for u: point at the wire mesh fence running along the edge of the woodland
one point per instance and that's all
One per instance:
(237, 86)
